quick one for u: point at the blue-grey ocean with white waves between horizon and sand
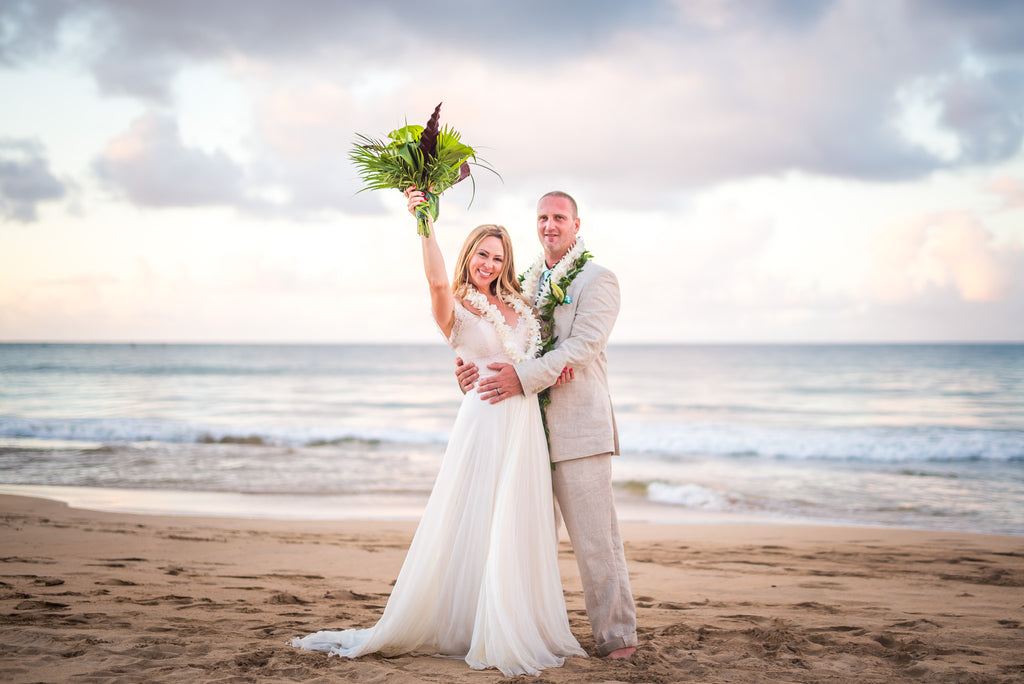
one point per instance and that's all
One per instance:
(922, 437)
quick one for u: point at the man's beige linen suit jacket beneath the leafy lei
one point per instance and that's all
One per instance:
(581, 421)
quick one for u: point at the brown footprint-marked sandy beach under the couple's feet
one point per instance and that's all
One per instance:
(108, 597)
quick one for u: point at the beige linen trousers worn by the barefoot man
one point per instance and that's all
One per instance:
(583, 491)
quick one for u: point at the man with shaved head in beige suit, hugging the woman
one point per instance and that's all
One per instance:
(582, 427)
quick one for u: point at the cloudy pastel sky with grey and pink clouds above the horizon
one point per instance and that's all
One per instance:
(754, 172)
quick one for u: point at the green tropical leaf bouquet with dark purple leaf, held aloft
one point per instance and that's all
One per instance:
(432, 158)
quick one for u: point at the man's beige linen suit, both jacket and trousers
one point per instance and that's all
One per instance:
(583, 438)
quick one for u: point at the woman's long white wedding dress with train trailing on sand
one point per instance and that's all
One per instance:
(481, 580)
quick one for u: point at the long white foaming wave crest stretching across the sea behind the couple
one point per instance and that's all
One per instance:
(889, 445)
